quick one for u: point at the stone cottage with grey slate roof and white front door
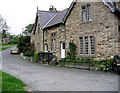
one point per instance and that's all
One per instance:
(93, 26)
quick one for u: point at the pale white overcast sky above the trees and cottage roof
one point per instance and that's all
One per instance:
(20, 13)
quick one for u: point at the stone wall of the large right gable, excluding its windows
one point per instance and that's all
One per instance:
(103, 25)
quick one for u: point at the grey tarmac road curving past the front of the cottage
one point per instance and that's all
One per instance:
(41, 77)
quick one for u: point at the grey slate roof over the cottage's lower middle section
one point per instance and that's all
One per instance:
(48, 19)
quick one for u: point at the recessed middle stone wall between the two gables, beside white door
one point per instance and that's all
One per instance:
(60, 37)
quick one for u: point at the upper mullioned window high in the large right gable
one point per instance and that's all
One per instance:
(86, 12)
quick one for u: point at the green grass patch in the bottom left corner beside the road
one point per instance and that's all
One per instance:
(11, 84)
